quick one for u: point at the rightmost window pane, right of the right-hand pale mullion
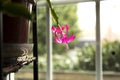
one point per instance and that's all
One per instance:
(110, 22)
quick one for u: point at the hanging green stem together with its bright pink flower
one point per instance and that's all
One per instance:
(61, 32)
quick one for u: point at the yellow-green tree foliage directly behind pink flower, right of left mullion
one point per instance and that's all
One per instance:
(67, 15)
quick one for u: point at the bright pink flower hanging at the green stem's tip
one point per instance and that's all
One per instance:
(61, 35)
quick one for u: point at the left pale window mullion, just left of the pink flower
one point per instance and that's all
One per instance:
(49, 44)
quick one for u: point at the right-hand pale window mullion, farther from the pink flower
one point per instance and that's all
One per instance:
(99, 73)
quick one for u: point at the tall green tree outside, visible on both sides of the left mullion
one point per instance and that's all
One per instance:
(67, 15)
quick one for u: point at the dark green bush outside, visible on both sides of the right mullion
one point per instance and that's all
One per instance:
(110, 53)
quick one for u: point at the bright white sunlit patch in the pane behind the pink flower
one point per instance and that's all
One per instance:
(86, 18)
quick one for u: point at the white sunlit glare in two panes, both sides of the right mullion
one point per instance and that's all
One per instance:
(110, 19)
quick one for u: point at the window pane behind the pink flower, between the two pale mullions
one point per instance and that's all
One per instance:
(79, 61)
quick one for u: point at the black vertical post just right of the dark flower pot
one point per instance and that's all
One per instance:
(35, 48)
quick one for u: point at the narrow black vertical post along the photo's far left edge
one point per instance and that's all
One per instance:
(1, 45)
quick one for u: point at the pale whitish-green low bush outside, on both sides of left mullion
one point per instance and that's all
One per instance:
(60, 62)
